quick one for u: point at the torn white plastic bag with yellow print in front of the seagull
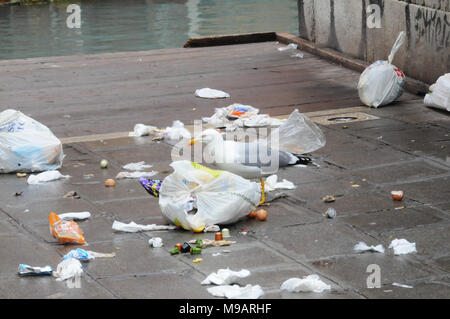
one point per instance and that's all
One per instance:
(194, 197)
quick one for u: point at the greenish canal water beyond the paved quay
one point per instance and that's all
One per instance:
(132, 25)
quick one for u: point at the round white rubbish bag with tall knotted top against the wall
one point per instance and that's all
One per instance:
(382, 82)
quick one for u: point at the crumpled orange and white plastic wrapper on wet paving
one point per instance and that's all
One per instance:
(66, 231)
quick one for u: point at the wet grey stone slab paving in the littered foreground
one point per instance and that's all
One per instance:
(405, 146)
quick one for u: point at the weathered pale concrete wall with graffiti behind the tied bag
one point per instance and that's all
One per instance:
(342, 25)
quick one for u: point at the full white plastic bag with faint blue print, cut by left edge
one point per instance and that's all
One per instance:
(26, 145)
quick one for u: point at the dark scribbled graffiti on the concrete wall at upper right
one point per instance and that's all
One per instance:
(432, 28)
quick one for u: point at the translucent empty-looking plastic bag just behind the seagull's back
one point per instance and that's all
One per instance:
(298, 135)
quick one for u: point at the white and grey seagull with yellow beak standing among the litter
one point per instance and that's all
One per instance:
(247, 159)
